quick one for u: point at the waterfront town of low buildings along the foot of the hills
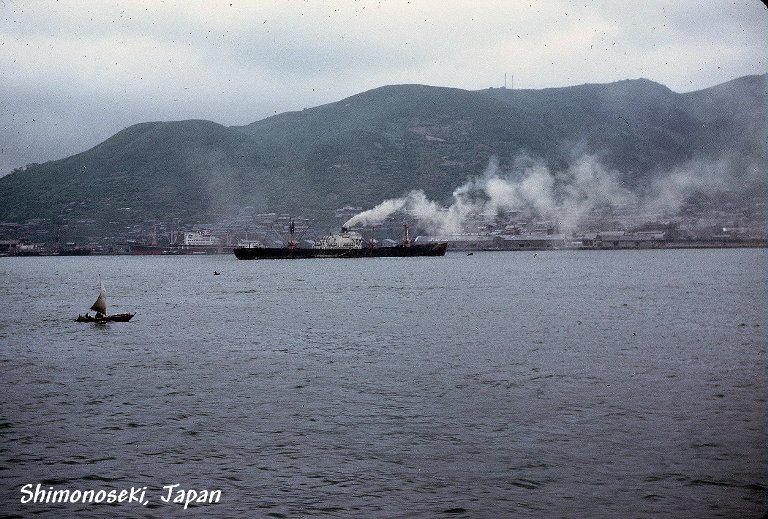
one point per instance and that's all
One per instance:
(616, 228)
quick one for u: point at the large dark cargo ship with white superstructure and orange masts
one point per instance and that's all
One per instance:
(345, 244)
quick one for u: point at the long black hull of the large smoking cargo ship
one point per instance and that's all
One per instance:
(398, 251)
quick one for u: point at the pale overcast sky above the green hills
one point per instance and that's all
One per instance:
(73, 73)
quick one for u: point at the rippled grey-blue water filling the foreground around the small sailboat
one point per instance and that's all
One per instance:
(549, 384)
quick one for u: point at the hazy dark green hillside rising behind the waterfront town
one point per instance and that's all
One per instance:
(383, 143)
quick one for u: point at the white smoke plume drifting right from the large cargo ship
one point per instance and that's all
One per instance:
(565, 197)
